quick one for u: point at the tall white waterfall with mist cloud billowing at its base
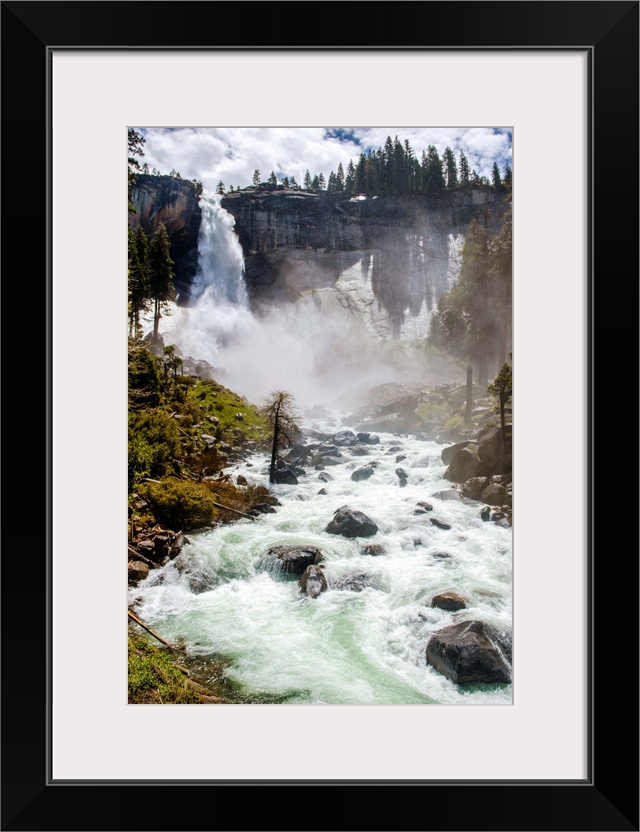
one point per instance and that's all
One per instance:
(320, 349)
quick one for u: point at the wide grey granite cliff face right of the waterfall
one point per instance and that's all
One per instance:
(385, 258)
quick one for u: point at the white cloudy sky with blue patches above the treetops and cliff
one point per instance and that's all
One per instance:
(230, 155)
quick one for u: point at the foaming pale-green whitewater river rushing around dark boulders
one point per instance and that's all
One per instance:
(346, 646)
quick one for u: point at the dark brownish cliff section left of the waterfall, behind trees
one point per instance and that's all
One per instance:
(176, 203)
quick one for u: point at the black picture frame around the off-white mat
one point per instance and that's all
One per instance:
(608, 798)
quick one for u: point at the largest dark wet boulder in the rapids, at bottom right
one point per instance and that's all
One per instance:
(471, 652)
